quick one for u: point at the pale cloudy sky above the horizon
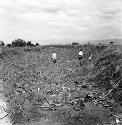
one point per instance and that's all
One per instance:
(56, 21)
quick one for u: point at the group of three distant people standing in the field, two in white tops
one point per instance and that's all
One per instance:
(80, 56)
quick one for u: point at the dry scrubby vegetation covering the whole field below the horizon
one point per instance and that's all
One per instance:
(34, 87)
